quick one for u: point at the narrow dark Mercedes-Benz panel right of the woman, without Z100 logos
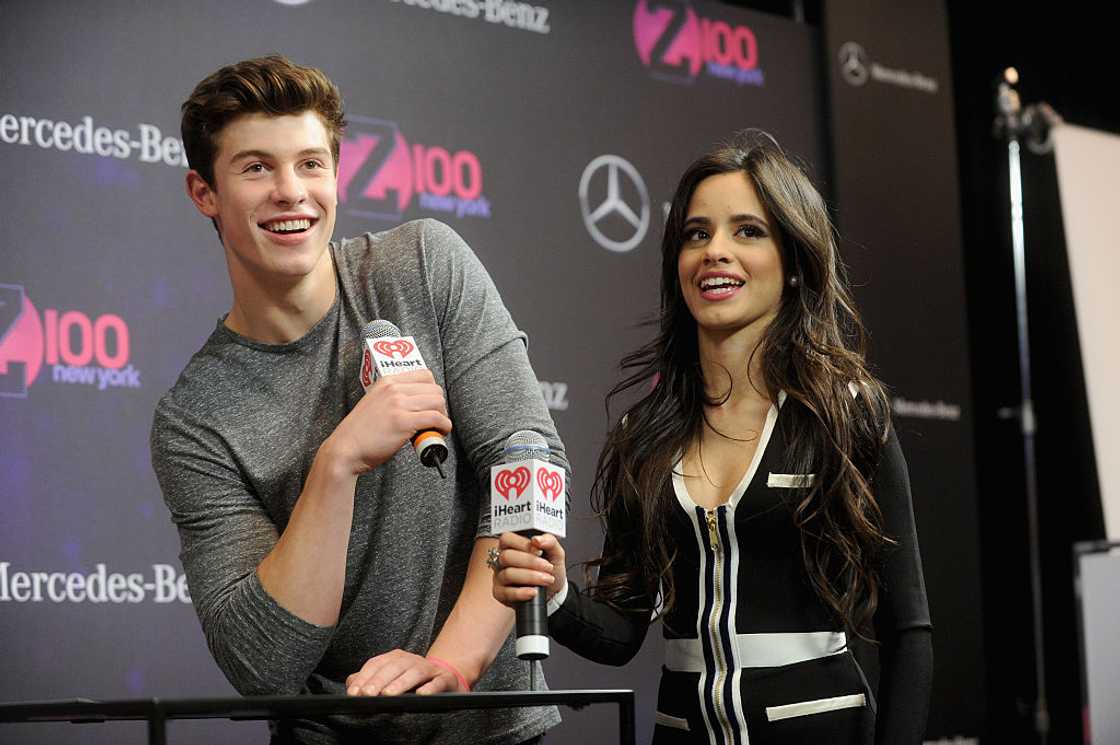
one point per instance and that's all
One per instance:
(894, 164)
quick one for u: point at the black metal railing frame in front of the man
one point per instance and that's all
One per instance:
(281, 709)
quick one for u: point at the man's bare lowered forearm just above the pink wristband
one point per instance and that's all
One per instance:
(478, 626)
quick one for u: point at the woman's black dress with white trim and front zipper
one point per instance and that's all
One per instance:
(752, 654)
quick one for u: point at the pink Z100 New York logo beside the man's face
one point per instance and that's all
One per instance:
(379, 174)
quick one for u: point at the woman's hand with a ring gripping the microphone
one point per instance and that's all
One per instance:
(527, 564)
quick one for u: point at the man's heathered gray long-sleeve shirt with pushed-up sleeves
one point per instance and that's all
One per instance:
(234, 442)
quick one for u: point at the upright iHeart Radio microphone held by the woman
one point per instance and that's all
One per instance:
(527, 498)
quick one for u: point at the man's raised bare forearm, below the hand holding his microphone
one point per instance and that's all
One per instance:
(306, 570)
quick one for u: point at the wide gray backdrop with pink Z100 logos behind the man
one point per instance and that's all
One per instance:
(550, 135)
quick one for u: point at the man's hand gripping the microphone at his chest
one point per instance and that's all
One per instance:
(395, 409)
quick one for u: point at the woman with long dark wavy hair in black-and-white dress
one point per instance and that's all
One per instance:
(755, 498)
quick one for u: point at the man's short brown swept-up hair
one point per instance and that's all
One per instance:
(272, 86)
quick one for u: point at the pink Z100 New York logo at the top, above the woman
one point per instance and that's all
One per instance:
(676, 44)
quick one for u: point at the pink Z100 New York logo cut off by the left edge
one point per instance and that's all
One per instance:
(69, 341)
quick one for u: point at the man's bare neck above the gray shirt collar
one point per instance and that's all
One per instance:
(282, 314)
